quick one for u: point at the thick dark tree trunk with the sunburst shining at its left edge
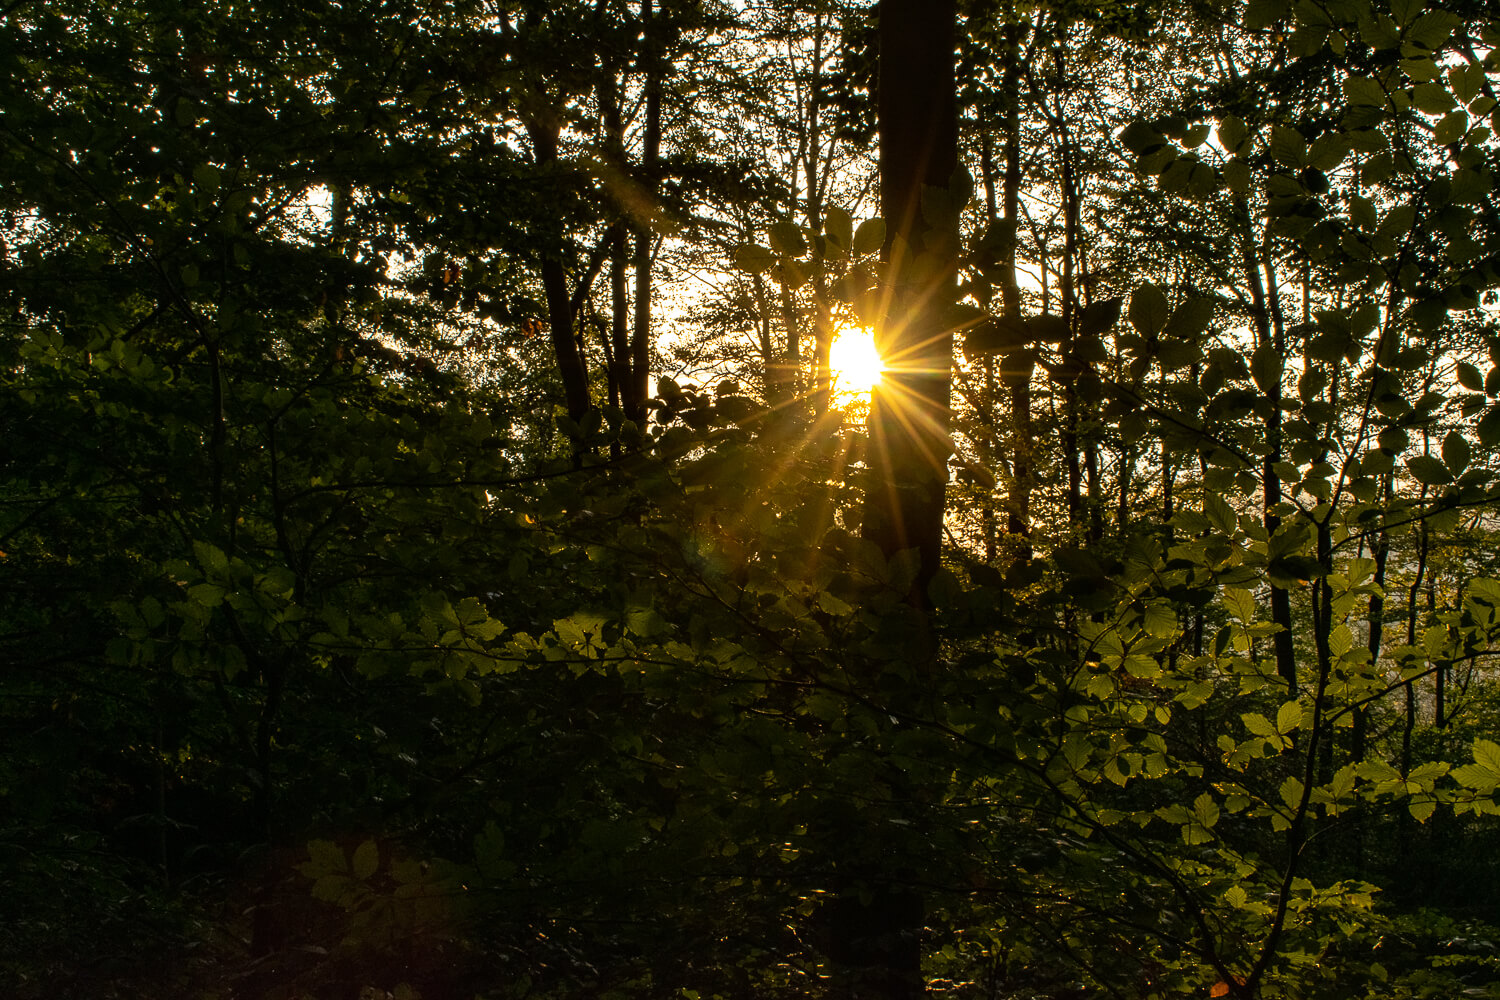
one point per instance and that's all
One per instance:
(877, 938)
